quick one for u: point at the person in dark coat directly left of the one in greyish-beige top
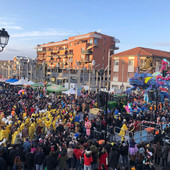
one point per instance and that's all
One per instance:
(62, 160)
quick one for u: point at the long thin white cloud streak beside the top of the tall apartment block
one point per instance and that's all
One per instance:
(49, 32)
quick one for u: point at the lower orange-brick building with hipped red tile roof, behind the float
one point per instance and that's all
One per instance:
(125, 64)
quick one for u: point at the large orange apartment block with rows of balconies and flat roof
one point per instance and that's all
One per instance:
(77, 51)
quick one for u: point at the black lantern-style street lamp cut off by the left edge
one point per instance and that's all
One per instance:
(4, 37)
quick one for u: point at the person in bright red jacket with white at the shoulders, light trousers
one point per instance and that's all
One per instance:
(87, 159)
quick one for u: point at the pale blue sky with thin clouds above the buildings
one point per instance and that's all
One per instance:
(135, 23)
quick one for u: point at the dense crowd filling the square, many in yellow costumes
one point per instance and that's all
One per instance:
(47, 131)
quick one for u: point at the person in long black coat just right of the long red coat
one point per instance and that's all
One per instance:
(113, 158)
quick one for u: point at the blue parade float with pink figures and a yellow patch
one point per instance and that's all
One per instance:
(158, 83)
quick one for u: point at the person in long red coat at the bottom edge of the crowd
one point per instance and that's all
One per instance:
(103, 159)
